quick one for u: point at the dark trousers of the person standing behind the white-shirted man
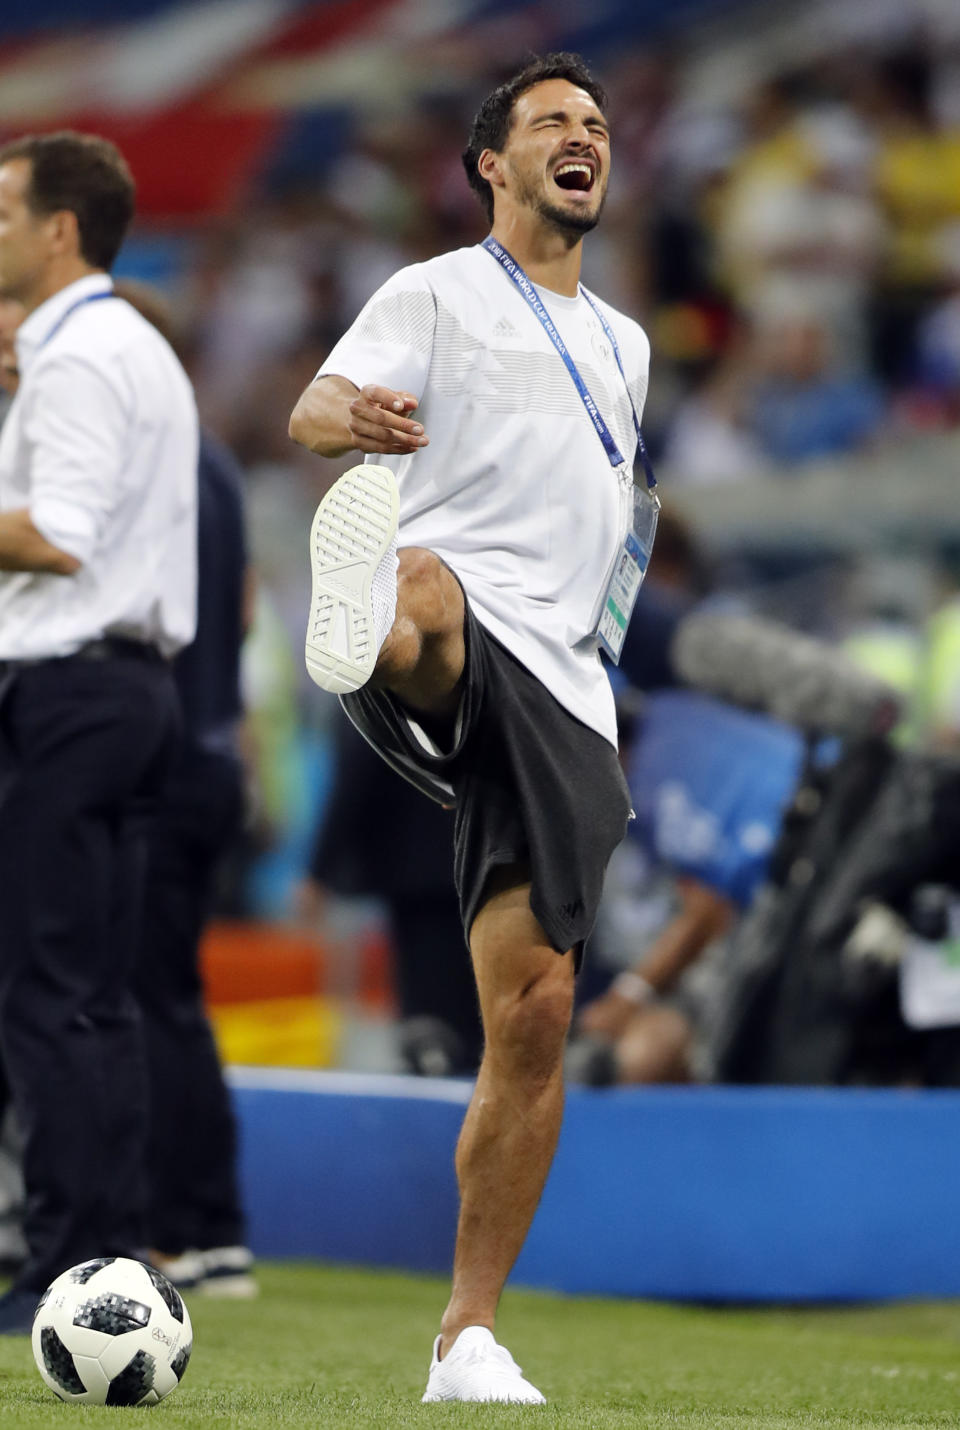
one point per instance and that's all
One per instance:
(192, 1193)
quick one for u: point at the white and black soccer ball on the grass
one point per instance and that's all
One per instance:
(112, 1333)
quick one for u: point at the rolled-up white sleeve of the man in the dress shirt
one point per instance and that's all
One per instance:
(75, 433)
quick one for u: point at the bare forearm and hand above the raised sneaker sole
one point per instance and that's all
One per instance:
(335, 417)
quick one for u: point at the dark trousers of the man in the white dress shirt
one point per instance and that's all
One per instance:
(82, 749)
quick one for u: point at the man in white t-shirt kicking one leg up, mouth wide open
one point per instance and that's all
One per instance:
(470, 659)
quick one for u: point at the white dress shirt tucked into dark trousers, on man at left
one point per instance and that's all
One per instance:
(101, 444)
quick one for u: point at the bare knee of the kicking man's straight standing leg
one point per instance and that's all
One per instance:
(527, 1029)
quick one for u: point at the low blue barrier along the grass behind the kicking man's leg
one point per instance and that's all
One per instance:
(707, 1195)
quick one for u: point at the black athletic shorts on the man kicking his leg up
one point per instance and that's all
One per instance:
(529, 781)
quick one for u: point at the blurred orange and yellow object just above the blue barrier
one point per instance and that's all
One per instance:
(277, 996)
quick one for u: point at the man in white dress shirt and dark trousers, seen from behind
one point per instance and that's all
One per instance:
(98, 591)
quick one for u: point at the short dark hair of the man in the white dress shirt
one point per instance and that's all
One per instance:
(87, 175)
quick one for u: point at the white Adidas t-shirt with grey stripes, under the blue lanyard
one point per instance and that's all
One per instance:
(516, 491)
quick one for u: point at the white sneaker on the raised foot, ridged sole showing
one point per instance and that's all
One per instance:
(354, 560)
